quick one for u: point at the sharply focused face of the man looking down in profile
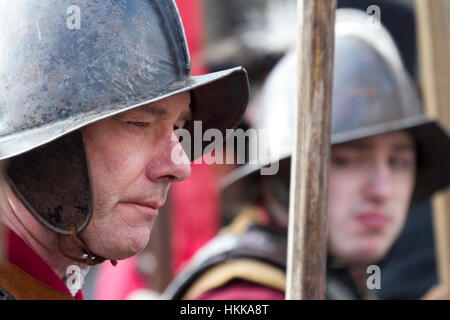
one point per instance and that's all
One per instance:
(131, 167)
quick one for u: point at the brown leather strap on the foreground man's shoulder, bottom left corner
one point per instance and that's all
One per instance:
(22, 286)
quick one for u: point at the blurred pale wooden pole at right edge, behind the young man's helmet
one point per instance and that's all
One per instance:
(434, 52)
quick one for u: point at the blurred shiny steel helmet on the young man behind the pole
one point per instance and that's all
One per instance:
(372, 94)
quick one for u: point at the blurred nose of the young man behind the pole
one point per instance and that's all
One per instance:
(378, 186)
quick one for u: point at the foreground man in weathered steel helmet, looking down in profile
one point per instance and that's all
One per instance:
(87, 130)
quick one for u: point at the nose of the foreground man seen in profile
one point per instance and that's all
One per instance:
(170, 163)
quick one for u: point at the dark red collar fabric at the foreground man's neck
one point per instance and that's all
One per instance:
(22, 256)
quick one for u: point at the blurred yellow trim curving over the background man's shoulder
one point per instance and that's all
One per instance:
(245, 269)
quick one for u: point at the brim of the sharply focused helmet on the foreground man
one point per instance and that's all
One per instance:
(220, 102)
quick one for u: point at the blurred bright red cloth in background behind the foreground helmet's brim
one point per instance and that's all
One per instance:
(195, 202)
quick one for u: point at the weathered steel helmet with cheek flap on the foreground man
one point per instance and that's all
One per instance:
(63, 67)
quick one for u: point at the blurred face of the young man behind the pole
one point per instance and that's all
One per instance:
(371, 184)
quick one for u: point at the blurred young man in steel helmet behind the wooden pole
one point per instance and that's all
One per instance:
(386, 154)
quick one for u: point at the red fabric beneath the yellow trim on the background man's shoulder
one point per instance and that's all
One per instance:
(242, 290)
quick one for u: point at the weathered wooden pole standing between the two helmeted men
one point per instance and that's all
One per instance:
(307, 234)
